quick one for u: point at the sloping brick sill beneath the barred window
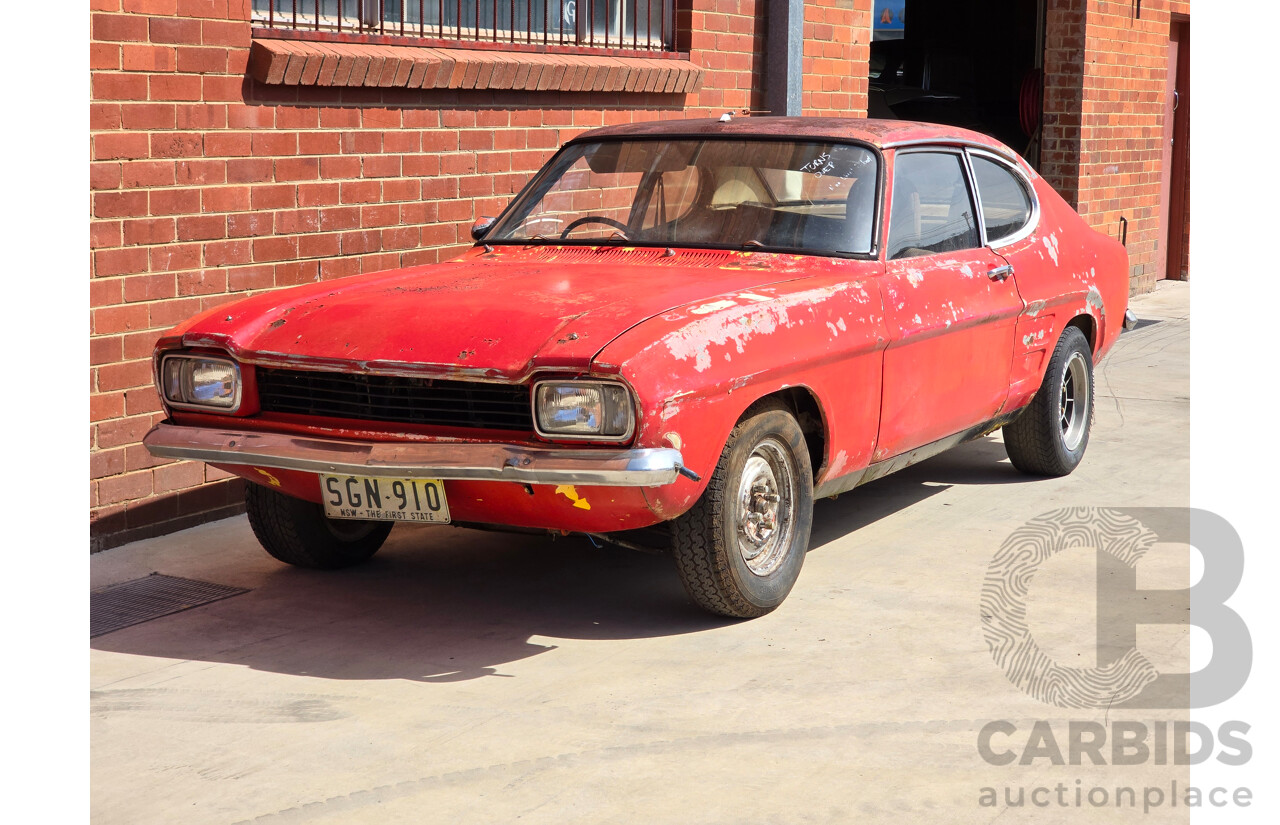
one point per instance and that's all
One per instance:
(317, 63)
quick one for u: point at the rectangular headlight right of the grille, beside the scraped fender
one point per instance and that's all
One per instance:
(583, 410)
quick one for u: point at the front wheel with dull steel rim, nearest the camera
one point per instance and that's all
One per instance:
(739, 567)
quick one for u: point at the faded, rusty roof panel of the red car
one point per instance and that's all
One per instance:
(879, 134)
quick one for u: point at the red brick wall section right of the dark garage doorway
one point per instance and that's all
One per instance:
(1104, 117)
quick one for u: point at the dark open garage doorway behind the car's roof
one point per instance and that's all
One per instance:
(967, 65)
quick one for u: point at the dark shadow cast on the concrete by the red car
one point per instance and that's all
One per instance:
(444, 604)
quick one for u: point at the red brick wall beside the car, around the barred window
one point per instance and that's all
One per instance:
(208, 186)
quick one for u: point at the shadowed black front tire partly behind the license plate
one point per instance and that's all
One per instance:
(299, 533)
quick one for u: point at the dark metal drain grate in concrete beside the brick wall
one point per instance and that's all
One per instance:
(145, 599)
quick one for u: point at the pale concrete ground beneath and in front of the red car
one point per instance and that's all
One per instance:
(474, 677)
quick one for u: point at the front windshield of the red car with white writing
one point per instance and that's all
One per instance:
(726, 194)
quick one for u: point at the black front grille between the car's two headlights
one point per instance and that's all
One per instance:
(396, 400)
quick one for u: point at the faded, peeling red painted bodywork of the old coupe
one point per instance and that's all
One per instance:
(897, 355)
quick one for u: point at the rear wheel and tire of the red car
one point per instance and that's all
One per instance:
(1049, 439)
